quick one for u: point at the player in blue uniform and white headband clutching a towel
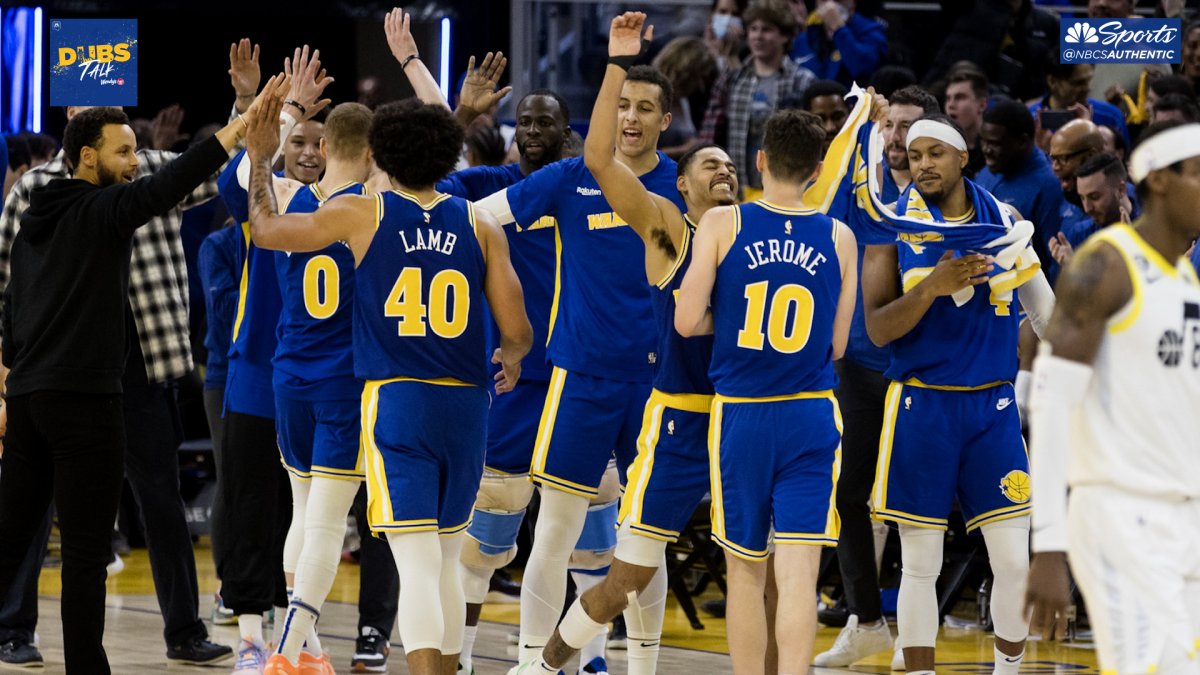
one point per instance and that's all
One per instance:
(952, 369)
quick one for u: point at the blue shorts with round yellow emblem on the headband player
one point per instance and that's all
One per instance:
(944, 444)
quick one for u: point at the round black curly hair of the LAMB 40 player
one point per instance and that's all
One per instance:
(417, 144)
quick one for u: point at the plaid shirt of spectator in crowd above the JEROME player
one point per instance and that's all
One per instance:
(728, 118)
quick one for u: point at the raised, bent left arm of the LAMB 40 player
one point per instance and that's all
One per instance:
(346, 219)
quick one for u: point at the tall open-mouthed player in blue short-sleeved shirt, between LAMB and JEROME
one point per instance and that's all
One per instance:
(602, 342)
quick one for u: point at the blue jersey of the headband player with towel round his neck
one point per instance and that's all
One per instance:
(953, 347)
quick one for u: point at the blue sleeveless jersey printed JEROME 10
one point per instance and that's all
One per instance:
(775, 303)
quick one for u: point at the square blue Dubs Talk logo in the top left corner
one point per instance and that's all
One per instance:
(94, 63)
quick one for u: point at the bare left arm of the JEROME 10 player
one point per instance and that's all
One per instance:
(694, 314)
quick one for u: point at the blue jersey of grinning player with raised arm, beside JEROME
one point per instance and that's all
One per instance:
(683, 362)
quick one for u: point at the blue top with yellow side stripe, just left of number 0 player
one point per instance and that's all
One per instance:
(249, 390)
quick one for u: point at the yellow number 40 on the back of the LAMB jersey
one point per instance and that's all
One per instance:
(448, 320)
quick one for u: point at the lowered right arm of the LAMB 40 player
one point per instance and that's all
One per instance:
(506, 301)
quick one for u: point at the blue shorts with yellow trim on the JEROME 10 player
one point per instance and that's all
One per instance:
(775, 463)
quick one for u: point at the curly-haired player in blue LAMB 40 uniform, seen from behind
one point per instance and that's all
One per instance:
(419, 347)
